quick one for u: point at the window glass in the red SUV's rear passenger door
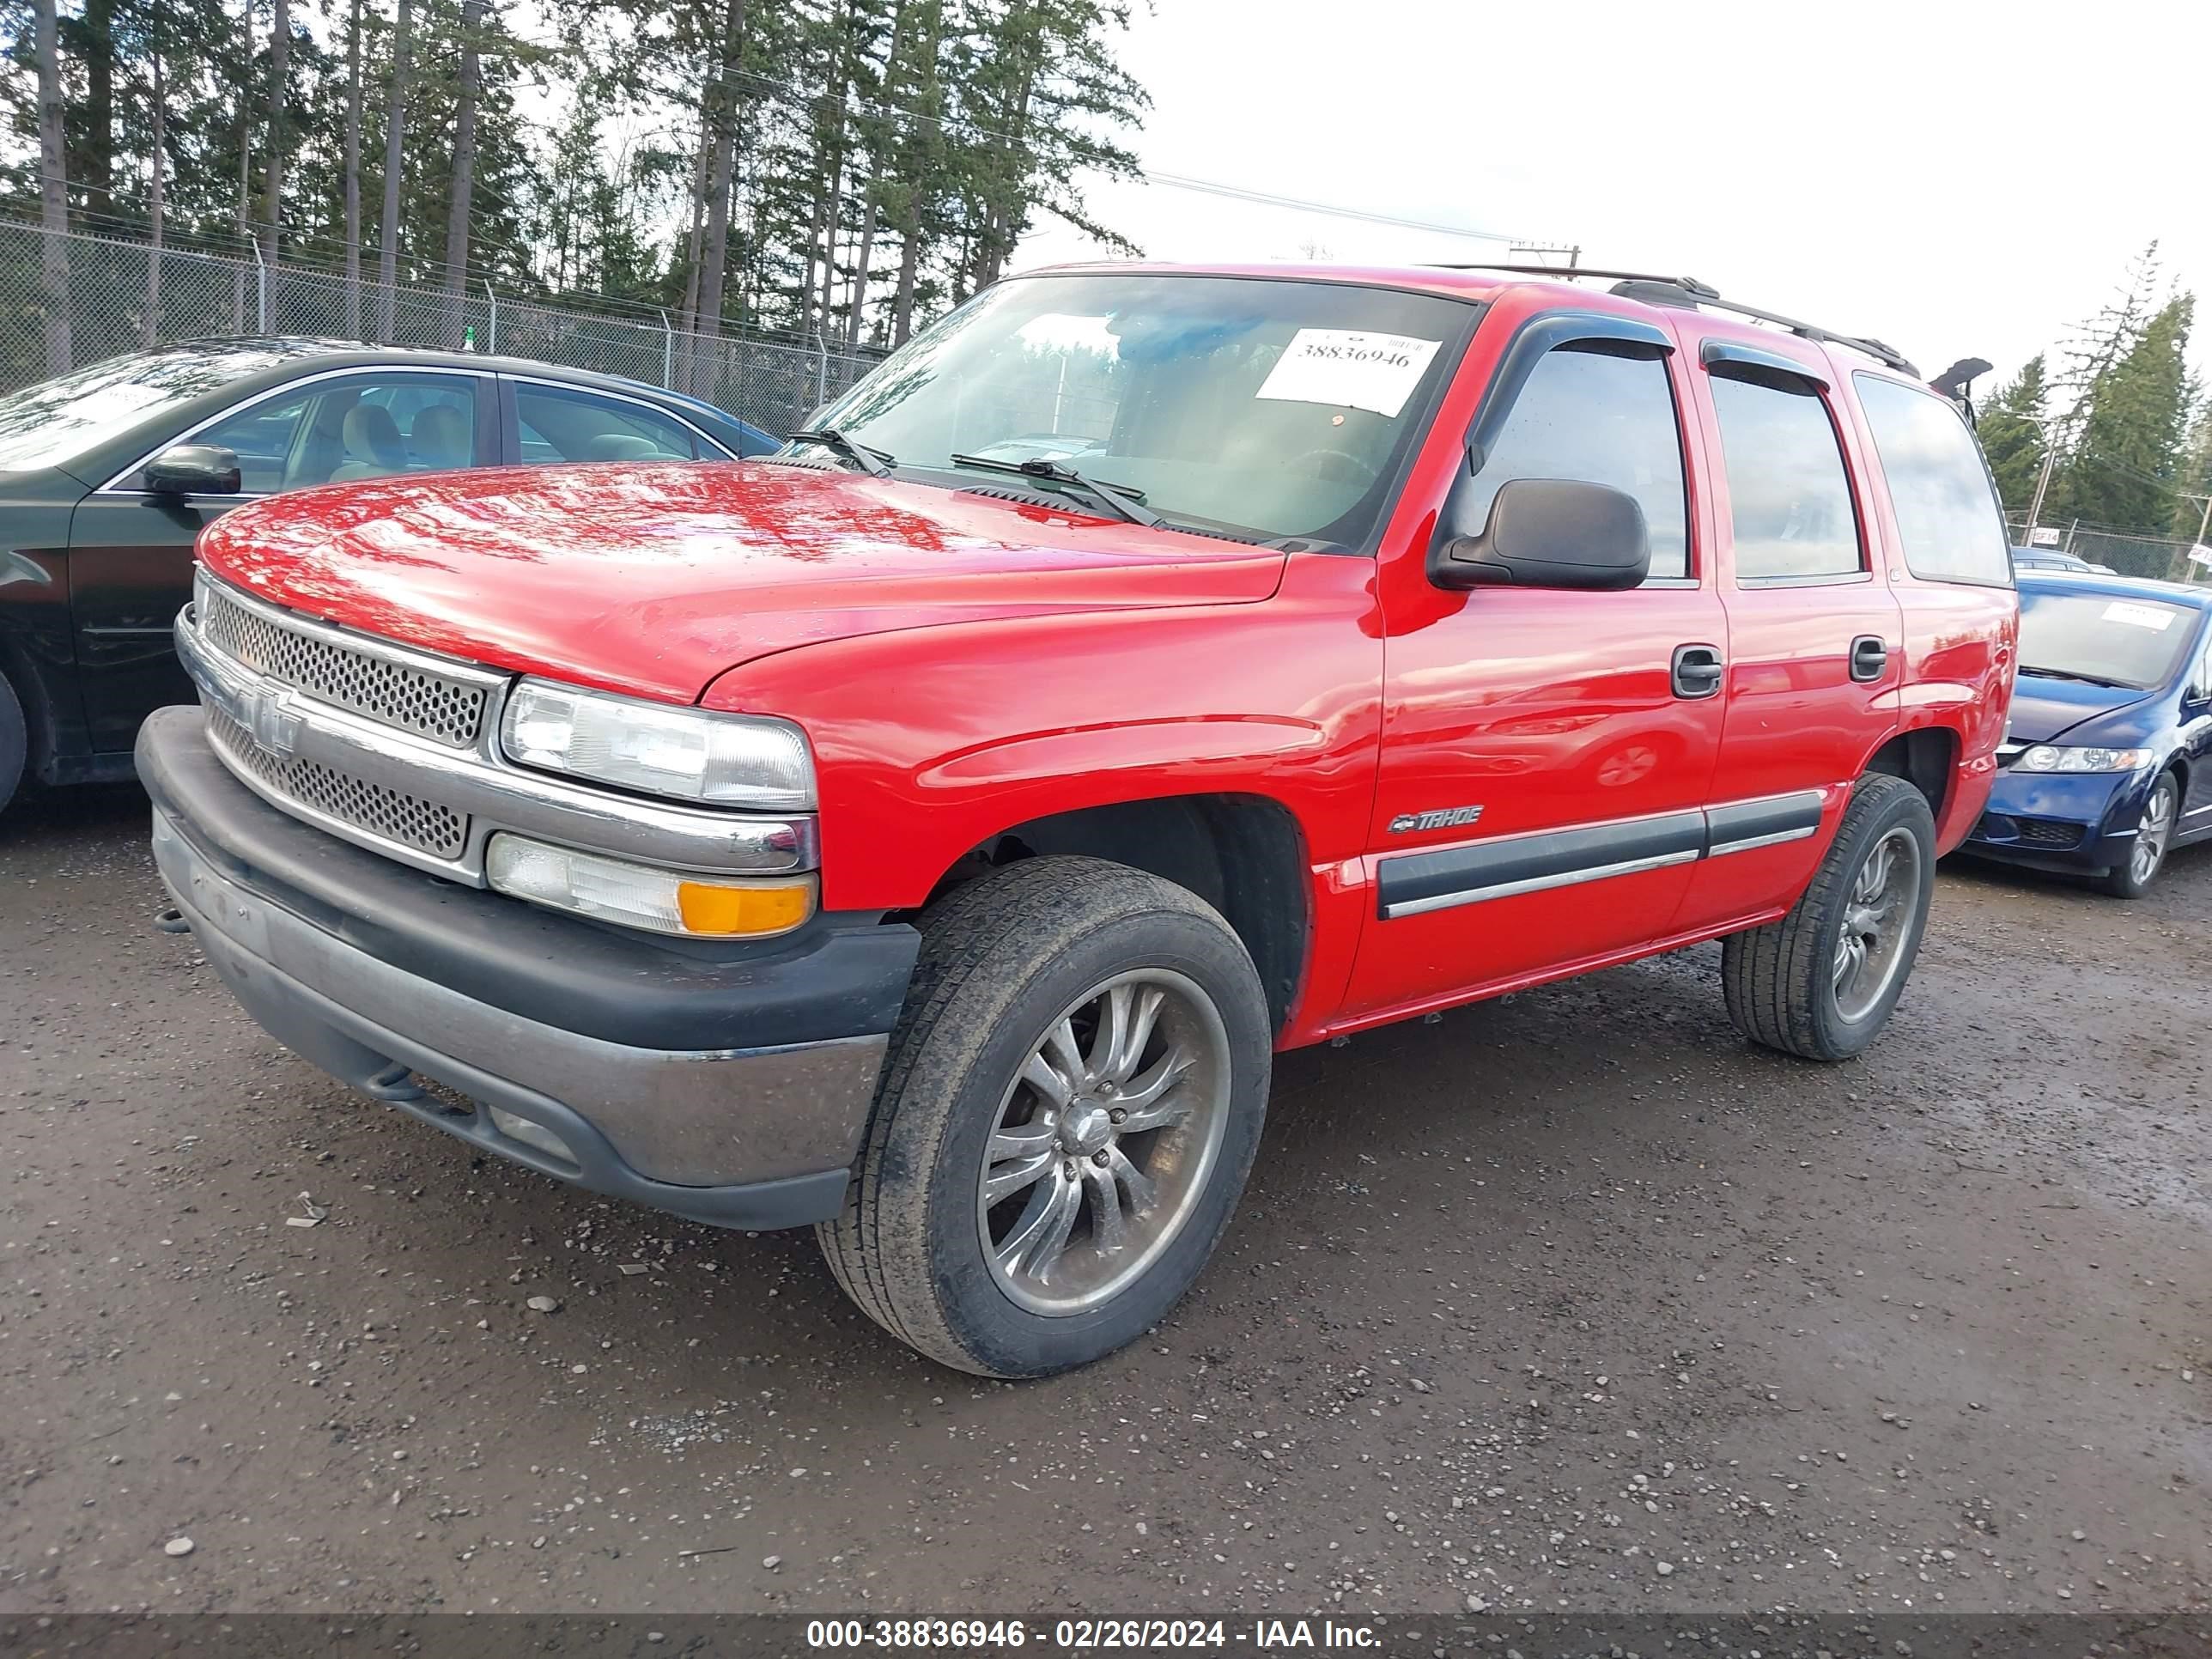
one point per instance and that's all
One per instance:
(1791, 501)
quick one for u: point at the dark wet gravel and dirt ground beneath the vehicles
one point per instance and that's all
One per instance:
(1558, 1302)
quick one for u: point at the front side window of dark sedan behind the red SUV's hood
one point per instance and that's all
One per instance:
(335, 432)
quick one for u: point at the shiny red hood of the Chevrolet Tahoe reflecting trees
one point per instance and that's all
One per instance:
(658, 578)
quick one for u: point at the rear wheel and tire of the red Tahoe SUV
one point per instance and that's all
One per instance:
(1824, 981)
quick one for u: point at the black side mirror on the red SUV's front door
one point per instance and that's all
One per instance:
(1543, 534)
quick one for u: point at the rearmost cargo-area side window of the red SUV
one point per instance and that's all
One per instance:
(1948, 510)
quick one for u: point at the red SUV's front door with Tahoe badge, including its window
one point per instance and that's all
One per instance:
(1543, 769)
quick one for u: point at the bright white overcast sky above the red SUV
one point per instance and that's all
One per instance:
(1954, 178)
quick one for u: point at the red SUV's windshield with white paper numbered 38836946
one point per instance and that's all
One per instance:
(1235, 404)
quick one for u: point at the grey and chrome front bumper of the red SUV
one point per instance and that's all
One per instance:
(727, 1085)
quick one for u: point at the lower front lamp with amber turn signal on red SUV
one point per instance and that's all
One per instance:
(665, 901)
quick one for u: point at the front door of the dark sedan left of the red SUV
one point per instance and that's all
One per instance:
(132, 550)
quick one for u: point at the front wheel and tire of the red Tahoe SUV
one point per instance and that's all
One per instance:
(1067, 1116)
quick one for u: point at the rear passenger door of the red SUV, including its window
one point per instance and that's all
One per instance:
(1813, 627)
